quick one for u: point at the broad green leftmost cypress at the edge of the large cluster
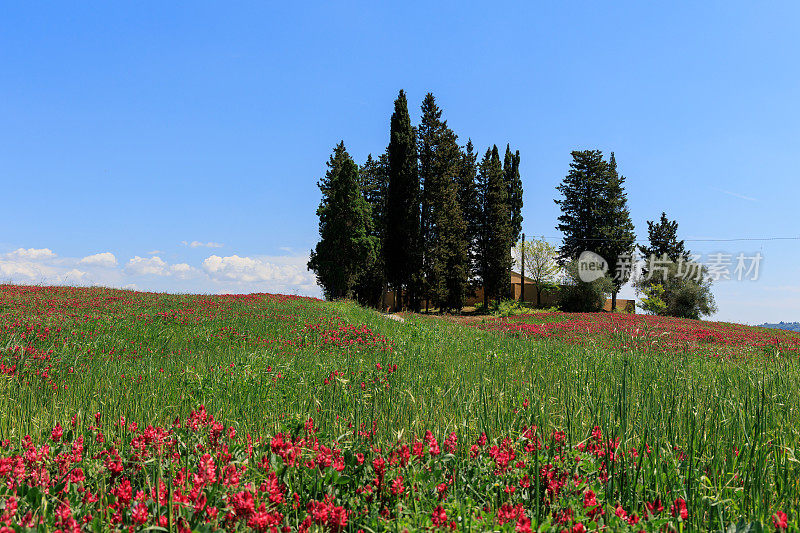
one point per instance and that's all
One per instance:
(346, 244)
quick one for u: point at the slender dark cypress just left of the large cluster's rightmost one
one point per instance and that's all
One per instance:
(495, 228)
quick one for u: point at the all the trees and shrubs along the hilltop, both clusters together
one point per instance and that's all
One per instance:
(431, 222)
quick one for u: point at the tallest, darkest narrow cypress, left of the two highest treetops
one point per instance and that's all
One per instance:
(401, 248)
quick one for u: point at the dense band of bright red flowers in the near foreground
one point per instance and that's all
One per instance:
(198, 474)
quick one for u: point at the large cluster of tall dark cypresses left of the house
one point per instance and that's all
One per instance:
(424, 219)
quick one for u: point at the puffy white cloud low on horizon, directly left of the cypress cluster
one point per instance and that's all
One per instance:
(249, 270)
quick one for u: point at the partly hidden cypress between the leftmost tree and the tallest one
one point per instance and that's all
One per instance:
(374, 184)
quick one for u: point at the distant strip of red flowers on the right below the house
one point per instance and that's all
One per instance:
(619, 330)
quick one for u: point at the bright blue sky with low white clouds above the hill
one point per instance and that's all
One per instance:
(137, 131)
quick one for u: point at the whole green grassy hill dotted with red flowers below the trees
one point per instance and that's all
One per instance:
(260, 411)
